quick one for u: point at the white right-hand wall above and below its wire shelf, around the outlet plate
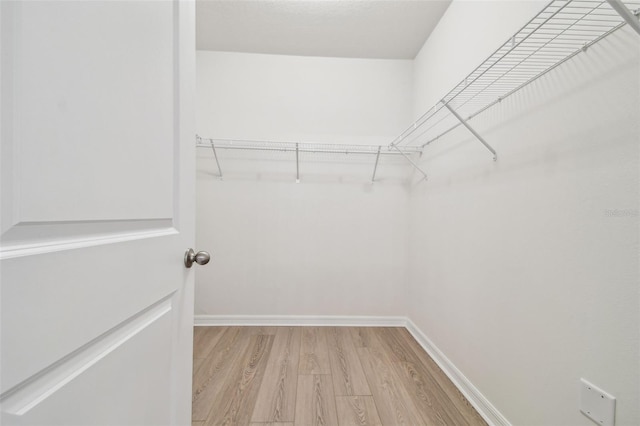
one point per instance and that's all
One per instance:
(518, 271)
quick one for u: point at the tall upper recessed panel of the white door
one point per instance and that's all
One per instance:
(67, 74)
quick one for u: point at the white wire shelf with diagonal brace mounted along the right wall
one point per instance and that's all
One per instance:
(563, 29)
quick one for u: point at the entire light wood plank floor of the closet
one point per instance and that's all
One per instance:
(286, 376)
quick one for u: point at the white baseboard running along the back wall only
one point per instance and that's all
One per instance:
(301, 320)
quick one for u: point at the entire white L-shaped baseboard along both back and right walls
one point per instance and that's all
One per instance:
(488, 412)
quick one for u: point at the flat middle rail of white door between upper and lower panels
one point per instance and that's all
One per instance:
(82, 293)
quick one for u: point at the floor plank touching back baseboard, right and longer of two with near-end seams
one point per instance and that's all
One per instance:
(346, 370)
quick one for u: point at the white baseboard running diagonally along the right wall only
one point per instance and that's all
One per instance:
(488, 412)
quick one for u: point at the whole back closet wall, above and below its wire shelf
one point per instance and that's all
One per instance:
(333, 244)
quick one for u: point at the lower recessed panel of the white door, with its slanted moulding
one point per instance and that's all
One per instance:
(85, 386)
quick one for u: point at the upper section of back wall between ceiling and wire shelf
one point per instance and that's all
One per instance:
(331, 100)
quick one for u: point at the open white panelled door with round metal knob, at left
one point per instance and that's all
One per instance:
(97, 144)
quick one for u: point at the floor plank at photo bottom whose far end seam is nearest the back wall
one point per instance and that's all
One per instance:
(315, 404)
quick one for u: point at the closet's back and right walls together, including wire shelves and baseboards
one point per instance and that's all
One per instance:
(500, 226)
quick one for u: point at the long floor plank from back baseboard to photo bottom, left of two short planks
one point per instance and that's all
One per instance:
(277, 395)
